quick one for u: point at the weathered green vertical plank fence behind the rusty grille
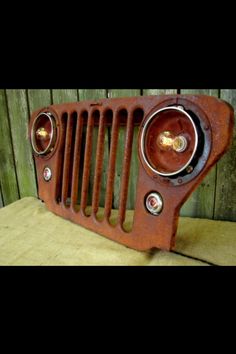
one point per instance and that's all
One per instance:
(215, 198)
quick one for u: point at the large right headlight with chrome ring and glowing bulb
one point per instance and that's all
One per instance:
(169, 141)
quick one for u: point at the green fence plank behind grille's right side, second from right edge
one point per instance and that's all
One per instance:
(201, 203)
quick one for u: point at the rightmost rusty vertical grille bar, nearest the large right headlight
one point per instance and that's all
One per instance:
(126, 168)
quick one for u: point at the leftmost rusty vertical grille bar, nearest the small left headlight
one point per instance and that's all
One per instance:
(68, 158)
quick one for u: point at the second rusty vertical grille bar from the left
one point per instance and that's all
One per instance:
(82, 119)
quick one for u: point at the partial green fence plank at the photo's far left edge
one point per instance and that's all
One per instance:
(8, 178)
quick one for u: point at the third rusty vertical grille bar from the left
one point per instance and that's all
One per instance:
(87, 161)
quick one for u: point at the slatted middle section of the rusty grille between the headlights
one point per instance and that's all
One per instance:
(75, 190)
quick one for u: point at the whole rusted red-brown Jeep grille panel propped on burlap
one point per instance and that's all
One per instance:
(72, 187)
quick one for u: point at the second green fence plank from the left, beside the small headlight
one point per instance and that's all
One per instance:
(19, 119)
